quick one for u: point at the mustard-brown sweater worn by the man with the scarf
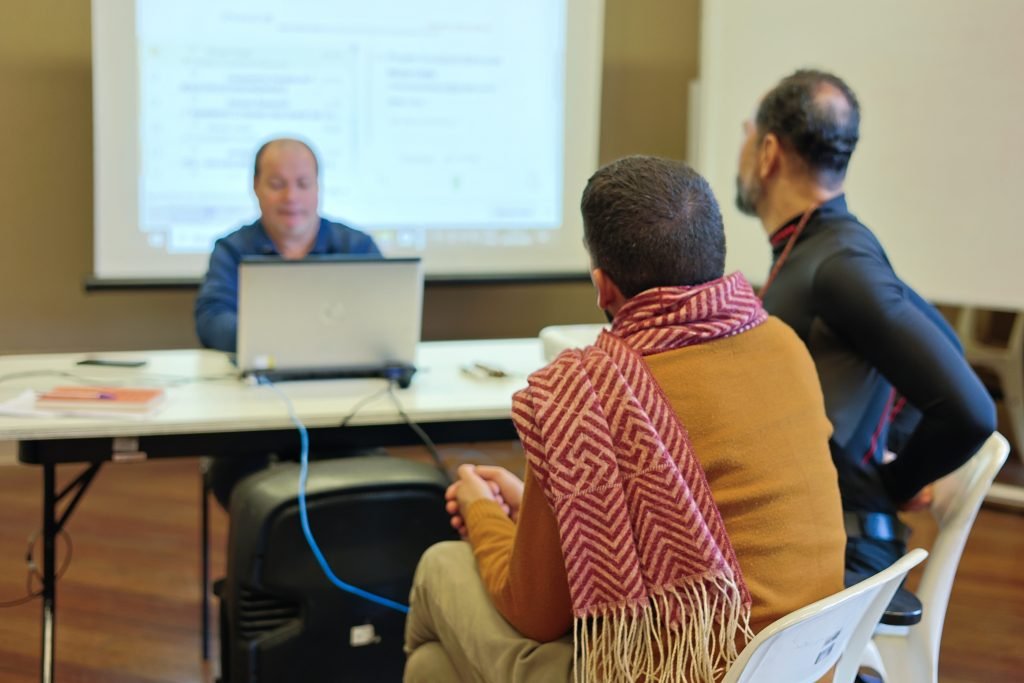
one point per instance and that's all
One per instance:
(753, 407)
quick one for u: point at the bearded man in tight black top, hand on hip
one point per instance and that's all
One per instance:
(892, 370)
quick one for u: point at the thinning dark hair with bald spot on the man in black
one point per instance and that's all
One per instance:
(806, 119)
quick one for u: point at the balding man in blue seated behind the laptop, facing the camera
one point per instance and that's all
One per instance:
(286, 181)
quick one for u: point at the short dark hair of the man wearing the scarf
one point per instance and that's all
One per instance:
(653, 223)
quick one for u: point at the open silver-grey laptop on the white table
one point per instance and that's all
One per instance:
(329, 317)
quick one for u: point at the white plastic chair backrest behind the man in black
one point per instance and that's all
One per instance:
(958, 498)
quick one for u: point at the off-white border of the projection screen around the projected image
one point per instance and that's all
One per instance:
(123, 251)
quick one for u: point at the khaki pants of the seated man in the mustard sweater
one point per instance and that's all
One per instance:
(454, 633)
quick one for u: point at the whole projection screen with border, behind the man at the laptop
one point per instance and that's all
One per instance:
(460, 133)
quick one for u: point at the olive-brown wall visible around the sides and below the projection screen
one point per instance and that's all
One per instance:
(47, 186)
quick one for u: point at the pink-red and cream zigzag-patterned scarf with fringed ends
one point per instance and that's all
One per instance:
(657, 591)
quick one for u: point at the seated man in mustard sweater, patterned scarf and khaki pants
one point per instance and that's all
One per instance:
(679, 494)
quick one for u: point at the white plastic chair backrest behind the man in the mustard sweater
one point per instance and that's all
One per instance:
(801, 648)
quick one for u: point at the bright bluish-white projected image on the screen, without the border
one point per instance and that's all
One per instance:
(428, 117)
